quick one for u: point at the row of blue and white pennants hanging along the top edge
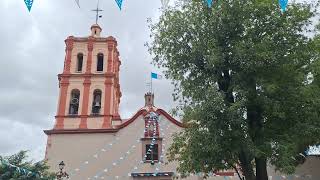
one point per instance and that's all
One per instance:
(283, 4)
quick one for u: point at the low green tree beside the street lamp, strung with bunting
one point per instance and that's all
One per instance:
(39, 169)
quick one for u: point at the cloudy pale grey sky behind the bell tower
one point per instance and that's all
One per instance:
(32, 54)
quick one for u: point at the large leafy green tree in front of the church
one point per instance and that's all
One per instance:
(247, 75)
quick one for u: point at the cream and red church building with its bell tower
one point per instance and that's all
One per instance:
(92, 139)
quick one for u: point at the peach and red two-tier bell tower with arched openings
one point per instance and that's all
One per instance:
(89, 84)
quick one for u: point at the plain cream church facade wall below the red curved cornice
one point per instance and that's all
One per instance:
(111, 155)
